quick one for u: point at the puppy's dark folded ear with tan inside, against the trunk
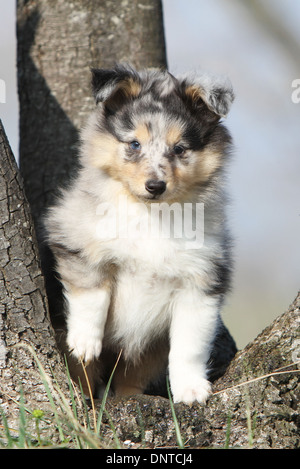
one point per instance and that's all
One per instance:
(115, 86)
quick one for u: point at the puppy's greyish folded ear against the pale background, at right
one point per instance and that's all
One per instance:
(216, 93)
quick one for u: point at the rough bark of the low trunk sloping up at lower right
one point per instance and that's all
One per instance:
(254, 405)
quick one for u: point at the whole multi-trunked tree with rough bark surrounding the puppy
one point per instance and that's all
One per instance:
(53, 69)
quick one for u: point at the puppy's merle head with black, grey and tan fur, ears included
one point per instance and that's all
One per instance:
(160, 136)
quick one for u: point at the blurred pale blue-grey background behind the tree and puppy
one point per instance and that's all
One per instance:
(256, 43)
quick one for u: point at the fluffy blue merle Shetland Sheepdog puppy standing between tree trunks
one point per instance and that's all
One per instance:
(139, 239)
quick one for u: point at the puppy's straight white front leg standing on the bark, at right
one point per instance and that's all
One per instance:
(194, 321)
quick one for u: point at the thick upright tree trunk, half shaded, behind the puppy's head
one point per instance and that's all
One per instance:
(58, 43)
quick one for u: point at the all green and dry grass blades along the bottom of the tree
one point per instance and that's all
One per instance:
(75, 426)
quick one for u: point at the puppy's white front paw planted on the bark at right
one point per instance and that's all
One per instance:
(194, 390)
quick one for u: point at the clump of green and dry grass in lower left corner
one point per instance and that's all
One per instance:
(72, 430)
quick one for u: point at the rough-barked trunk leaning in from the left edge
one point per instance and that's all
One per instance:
(24, 320)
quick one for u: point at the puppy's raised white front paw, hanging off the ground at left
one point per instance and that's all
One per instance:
(84, 345)
